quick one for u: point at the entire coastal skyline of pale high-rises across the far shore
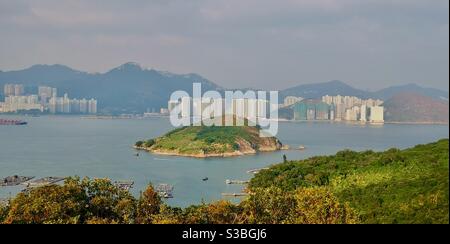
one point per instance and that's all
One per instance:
(332, 108)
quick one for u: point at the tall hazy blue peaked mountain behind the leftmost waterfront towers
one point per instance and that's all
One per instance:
(128, 88)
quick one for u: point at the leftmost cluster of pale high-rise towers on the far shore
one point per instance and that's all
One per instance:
(46, 100)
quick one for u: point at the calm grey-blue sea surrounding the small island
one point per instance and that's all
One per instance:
(67, 146)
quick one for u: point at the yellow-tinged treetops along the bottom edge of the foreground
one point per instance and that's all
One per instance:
(100, 202)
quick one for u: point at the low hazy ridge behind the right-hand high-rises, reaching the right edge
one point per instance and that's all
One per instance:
(336, 87)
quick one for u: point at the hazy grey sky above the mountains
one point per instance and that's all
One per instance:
(237, 43)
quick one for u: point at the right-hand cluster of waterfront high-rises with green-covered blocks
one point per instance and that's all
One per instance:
(338, 108)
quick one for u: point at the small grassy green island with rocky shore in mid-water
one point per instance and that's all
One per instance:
(211, 141)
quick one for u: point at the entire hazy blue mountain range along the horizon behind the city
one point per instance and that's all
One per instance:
(130, 88)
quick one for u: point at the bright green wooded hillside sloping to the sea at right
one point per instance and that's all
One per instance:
(409, 186)
